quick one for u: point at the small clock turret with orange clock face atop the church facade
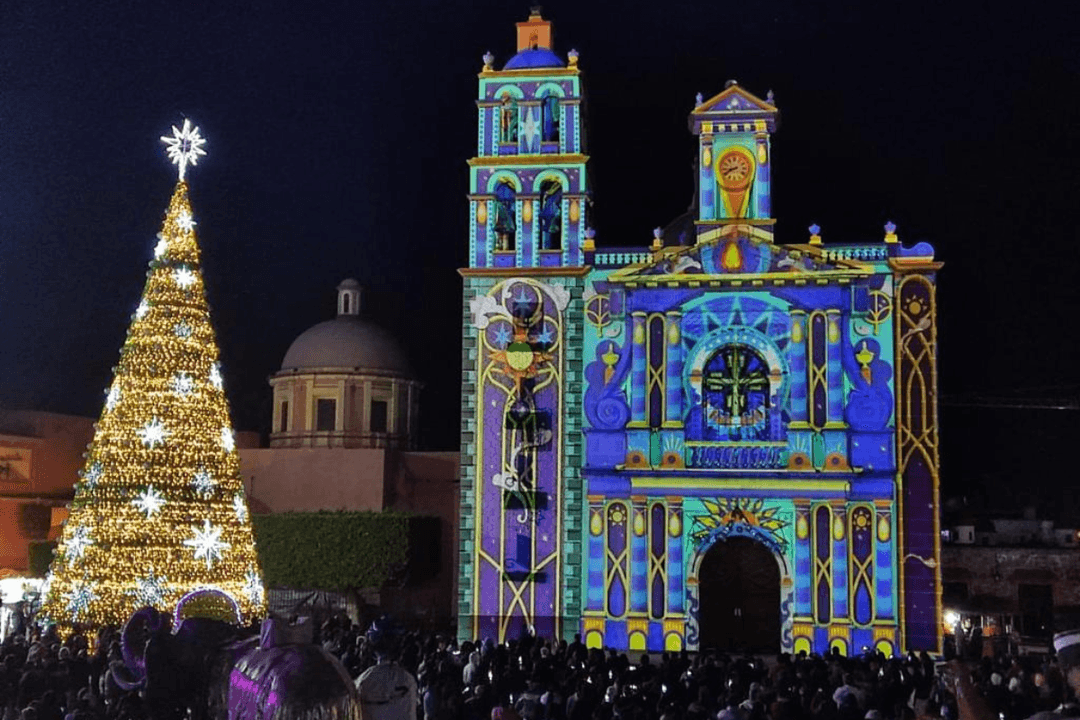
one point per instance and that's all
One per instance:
(735, 178)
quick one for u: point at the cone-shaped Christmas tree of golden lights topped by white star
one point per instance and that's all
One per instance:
(160, 510)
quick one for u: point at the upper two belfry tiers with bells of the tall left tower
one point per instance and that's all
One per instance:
(528, 182)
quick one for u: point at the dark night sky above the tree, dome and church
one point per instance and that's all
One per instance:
(339, 141)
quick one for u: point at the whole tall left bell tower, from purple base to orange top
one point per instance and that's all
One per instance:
(522, 499)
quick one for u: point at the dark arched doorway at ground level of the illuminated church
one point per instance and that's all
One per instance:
(739, 591)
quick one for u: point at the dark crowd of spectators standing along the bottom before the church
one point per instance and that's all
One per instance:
(46, 678)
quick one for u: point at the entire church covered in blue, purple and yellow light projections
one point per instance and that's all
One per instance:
(715, 441)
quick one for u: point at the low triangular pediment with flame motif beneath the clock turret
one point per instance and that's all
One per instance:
(738, 256)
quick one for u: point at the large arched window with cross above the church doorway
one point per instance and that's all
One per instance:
(736, 396)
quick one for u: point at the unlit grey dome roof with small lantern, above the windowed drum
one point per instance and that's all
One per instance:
(347, 342)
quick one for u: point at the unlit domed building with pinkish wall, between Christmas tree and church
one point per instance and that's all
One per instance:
(345, 419)
